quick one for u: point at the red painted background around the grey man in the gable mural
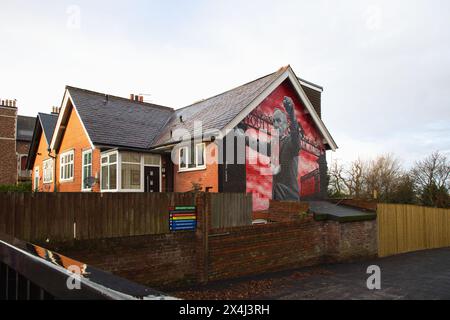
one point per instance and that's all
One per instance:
(261, 185)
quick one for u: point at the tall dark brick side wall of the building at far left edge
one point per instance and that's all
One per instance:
(8, 158)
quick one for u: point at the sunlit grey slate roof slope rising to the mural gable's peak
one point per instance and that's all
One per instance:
(216, 112)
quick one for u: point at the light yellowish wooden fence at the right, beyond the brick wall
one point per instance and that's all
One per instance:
(406, 228)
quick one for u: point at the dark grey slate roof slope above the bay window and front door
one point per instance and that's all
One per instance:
(116, 121)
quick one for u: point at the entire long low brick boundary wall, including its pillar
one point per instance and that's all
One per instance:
(171, 260)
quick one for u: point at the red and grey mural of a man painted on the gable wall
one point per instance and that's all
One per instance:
(290, 170)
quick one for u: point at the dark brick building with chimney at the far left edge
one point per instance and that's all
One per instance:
(15, 137)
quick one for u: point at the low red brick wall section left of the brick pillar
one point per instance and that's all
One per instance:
(158, 260)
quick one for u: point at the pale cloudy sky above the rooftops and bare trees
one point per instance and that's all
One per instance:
(384, 65)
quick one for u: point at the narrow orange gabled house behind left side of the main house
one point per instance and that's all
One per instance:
(40, 153)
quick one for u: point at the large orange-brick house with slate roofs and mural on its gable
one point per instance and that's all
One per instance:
(104, 143)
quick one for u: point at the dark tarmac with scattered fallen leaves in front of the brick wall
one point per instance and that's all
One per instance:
(423, 275)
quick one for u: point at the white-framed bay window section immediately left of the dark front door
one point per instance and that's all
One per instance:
(131, 171)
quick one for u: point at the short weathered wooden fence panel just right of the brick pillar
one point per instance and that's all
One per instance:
(230, 210)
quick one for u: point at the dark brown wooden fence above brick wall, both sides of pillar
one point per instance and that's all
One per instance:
(65, 216)
